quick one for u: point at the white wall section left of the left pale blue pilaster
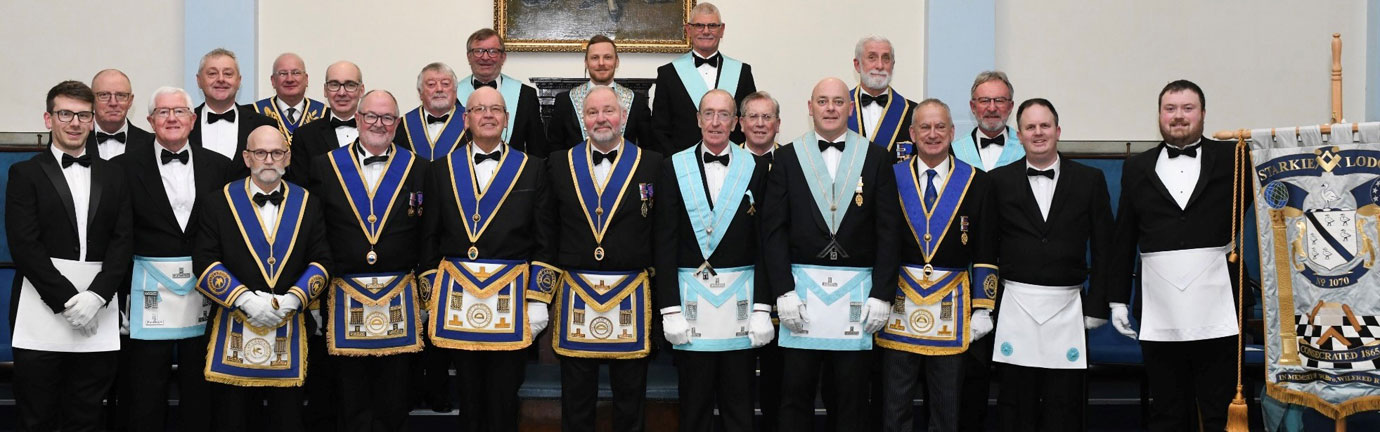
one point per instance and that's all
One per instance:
(143, 38)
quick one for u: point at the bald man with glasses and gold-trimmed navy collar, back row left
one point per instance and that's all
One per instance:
(290, 108)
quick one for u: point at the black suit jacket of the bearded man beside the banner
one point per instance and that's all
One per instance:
(1149, 219)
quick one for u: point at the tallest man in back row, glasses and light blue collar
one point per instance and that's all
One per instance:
(687, 79)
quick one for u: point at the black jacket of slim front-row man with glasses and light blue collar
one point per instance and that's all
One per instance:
(677, 244)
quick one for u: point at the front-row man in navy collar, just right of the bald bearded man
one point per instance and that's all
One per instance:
(375, 251)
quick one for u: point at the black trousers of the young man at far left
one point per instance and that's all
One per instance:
(61, 391)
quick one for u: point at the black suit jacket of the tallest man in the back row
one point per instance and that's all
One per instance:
(674, 114)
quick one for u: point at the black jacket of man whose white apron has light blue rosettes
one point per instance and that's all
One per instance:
(1055, 252)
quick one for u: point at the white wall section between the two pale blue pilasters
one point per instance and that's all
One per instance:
(790, 43)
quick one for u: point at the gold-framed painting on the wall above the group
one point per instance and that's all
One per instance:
(565, 26)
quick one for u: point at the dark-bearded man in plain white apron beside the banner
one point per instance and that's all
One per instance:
(1176, 210)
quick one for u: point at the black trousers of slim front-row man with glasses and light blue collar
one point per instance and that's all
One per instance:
(716, 379)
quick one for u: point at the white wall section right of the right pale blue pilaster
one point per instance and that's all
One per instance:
(1262, 64)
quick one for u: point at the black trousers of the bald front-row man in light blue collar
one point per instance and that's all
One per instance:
(801, 377)
